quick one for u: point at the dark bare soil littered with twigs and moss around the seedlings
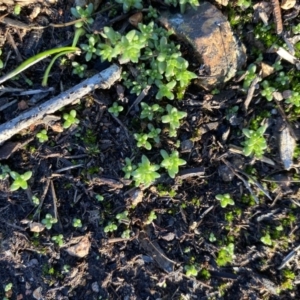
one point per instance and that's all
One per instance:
(77, 174)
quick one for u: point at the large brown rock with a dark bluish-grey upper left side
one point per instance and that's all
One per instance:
(214, 44)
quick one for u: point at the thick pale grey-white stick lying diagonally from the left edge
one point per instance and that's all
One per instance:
(103, 80)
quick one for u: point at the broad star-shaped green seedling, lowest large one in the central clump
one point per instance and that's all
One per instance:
(145, 173)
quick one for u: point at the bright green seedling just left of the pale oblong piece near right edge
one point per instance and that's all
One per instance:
(255, 143)
